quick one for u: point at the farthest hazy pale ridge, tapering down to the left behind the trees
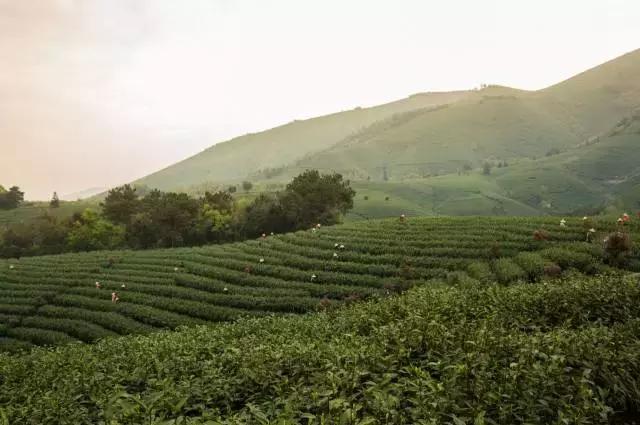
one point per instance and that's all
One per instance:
(283, 145)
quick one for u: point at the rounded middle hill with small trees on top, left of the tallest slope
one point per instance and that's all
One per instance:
(443, 140)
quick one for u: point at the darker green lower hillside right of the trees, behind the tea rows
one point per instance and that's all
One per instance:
(600, 175)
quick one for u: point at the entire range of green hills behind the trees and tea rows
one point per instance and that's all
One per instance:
(569, 147)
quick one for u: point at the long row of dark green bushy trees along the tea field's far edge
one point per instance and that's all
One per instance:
(167, 219)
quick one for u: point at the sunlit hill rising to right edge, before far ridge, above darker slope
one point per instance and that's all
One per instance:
(497, 123)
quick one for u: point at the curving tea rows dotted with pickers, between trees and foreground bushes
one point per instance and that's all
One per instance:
(54, 299)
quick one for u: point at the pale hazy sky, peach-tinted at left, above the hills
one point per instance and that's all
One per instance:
(99, 92)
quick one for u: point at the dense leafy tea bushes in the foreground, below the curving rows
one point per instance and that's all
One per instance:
(566, 351)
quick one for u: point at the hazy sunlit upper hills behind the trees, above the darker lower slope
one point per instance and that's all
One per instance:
(428, 134)
